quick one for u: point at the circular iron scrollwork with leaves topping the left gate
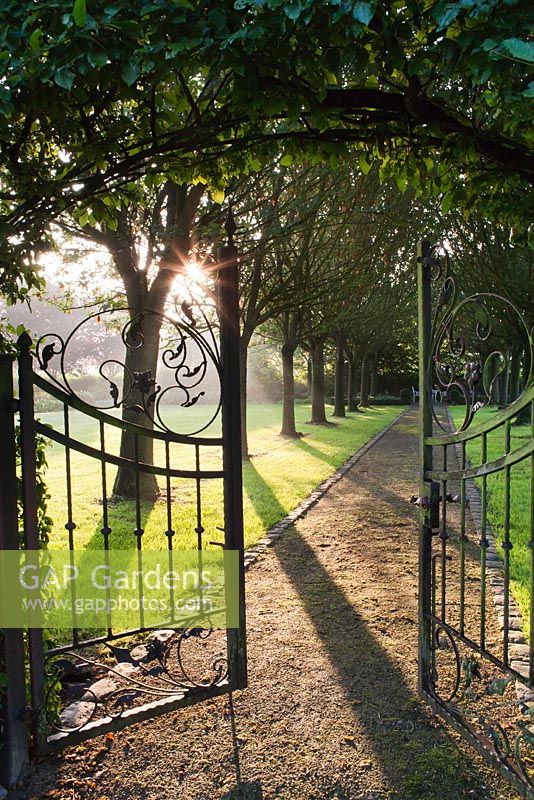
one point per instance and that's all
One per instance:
(189, 358)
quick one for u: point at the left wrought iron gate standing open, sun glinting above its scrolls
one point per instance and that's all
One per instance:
(114, 678)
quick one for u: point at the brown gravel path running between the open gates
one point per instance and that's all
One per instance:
(331, 710)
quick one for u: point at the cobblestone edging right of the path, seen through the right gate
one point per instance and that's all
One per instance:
(518, 648)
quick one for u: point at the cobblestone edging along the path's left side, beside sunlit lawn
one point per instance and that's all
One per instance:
(276, 530)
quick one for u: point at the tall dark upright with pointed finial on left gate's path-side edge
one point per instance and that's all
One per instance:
(228, 310)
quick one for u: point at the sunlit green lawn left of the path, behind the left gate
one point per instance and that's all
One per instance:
(281, 473)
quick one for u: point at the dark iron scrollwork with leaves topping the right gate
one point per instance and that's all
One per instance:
(455, 359)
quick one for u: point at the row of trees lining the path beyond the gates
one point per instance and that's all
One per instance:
(326, 265)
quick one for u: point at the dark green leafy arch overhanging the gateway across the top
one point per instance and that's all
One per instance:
(97, 93)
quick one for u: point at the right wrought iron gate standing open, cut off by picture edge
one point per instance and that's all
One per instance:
(476, 666)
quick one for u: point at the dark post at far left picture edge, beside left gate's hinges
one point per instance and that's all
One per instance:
(14, 734)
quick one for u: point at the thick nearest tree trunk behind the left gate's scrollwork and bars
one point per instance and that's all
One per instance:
(139, 361)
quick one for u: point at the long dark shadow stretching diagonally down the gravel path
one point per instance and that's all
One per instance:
(374, 687)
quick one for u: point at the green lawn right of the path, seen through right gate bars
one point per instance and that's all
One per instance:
(520, 489)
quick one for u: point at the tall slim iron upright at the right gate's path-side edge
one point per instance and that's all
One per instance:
(424, 303)
